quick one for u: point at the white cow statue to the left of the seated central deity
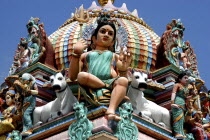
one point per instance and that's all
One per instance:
(62, 105)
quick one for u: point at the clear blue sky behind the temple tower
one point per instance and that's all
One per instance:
(194, 14)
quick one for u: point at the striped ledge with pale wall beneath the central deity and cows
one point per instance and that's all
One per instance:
(58, 128)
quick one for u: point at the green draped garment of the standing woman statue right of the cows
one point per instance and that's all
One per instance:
(176, 112)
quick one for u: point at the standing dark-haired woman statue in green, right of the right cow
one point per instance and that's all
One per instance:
(179, 95)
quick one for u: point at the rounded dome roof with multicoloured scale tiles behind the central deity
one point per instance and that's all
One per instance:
(132, 33)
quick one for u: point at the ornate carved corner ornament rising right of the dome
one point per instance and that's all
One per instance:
(173, 50)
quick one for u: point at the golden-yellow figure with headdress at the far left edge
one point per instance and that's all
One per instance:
(11, 113)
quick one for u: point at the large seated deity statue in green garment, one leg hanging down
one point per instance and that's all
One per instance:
(101, 68)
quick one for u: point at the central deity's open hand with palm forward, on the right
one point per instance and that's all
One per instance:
(125, 59)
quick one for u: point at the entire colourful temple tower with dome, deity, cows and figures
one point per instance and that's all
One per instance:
(104, 56)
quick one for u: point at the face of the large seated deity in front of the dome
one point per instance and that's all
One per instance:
(105, 37)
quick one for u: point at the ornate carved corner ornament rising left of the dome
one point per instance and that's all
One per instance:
(36, 47)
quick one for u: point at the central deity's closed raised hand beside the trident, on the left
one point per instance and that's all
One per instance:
(80, 46)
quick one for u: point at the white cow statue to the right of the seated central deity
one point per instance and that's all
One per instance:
(143, 107)
